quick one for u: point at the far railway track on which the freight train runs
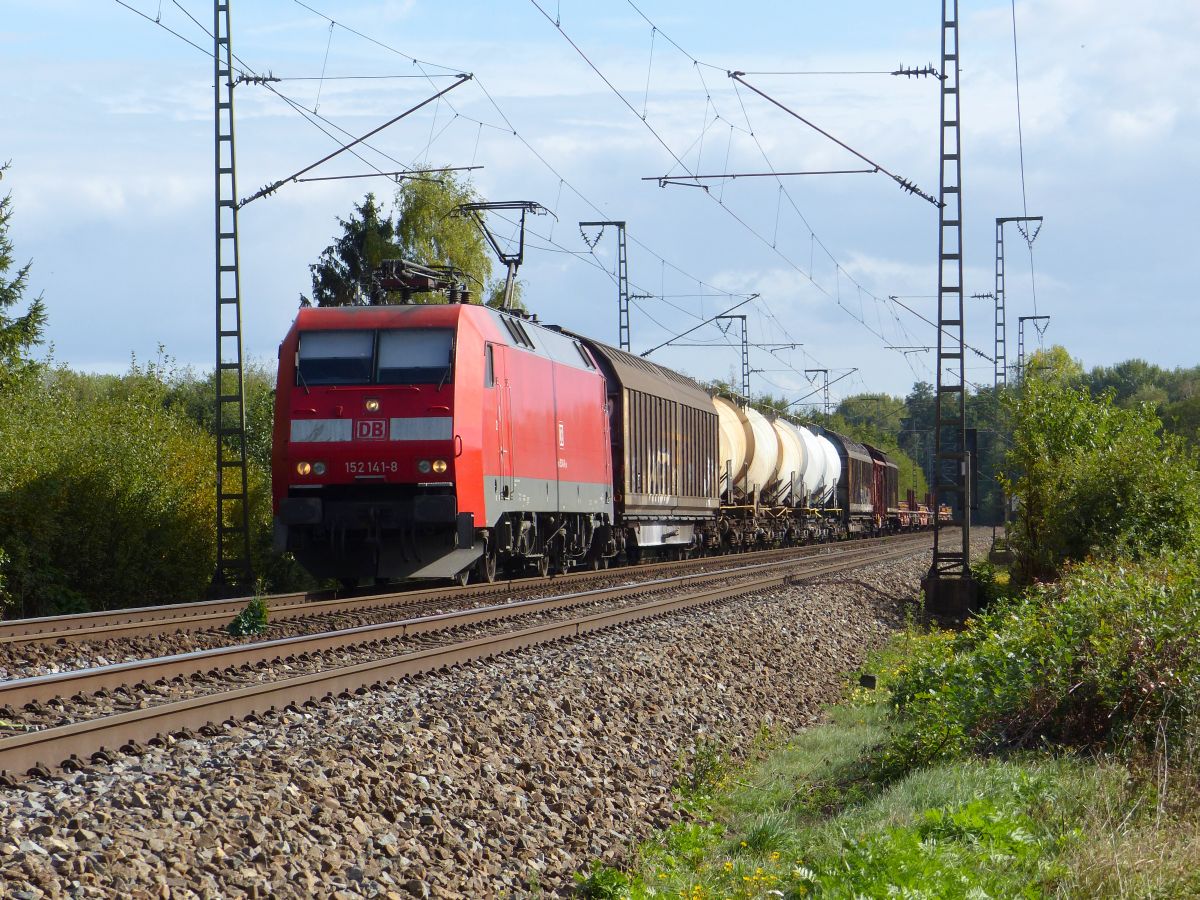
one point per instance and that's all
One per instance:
(148, 621)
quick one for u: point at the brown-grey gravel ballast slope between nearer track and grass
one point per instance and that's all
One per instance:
(491, 781)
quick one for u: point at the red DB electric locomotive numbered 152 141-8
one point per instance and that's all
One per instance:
(435, 441)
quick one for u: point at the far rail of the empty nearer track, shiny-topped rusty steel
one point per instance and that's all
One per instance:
(161, 670)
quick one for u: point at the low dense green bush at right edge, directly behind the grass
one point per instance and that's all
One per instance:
(1107, 658)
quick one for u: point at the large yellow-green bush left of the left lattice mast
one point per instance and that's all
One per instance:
(109, 501)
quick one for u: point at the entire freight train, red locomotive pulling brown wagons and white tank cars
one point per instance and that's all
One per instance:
(458, 441)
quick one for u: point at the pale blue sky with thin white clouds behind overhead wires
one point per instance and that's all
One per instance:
(109, 125)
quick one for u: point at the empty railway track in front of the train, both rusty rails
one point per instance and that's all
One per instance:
(98, 740)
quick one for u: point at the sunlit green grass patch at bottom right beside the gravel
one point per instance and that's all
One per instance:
(803, 823)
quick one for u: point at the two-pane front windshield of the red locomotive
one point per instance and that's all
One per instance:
(394, 357)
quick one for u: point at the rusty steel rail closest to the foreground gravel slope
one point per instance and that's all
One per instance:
(68, 747)
